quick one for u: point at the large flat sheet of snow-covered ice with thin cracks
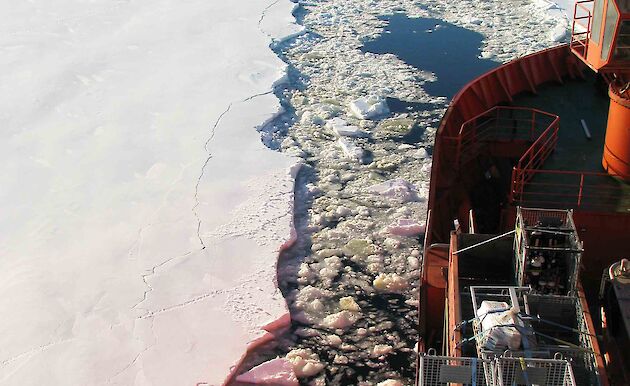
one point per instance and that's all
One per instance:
(141, 214)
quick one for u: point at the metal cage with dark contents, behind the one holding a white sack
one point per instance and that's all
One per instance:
(547, 251)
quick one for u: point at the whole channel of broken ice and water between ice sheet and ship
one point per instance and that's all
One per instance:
(365, 97)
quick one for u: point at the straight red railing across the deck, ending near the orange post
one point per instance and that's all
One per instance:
(567, 189)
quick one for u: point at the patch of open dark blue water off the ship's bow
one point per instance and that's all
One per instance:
(449, 51)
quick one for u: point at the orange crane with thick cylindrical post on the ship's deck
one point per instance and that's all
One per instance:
(601, 39)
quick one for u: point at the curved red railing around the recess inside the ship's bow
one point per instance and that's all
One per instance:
(508, 124)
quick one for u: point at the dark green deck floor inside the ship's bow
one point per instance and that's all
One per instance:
(579, 158)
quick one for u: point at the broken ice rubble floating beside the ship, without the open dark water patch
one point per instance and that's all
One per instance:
(369, 194)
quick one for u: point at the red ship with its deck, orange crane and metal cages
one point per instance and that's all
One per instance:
(529, 204)
